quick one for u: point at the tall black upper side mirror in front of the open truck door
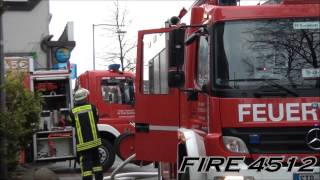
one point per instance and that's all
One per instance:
(176, 47)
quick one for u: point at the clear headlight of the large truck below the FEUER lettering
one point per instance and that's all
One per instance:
(235, 144)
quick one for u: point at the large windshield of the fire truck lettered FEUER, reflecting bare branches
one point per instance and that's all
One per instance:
(250, 53)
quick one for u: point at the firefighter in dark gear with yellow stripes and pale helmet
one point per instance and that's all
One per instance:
(84, 118)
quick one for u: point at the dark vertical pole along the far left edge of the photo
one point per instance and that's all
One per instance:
(3, 133)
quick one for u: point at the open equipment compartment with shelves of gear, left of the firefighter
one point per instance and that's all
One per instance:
(55, 139)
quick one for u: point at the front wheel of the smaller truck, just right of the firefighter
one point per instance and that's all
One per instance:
(107, 155)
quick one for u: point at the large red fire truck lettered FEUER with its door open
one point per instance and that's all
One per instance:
(238, 81)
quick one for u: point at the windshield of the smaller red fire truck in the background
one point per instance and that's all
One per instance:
(117, 91)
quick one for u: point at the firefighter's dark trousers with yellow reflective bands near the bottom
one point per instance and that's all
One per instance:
(90, 164)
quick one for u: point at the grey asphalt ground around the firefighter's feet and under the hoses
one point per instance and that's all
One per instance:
(66, 172)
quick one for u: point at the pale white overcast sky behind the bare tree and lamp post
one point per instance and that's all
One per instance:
(143, 14)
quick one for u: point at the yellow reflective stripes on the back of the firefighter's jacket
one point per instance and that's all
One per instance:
(82, 145)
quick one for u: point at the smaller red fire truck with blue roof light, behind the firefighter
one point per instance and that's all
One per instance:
(112, 92)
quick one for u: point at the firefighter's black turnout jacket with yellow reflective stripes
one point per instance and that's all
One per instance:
(84, 118)
